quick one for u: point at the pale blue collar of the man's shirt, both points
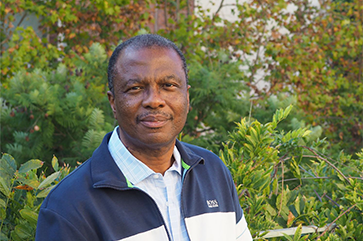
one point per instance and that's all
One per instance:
(134, 170)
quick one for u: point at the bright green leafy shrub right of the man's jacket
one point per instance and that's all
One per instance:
(284, 181)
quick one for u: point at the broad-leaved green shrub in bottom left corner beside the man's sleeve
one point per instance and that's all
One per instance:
(22, 191)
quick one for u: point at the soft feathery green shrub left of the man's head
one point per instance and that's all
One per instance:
(58, 112)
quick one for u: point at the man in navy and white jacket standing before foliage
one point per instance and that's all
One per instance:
(142, 183)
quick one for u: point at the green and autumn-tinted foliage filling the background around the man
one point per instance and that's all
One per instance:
(53, 100)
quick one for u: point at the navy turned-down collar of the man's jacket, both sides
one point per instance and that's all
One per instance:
(106, 174)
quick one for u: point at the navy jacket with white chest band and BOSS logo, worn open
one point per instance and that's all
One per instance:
(96, 202)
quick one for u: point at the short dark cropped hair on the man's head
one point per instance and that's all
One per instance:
(138, 42)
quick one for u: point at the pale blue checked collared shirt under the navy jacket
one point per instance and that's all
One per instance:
(164, 190)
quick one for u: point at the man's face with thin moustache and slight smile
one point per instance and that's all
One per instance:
(151, 97)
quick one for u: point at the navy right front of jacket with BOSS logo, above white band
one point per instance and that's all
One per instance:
(208, 183)
